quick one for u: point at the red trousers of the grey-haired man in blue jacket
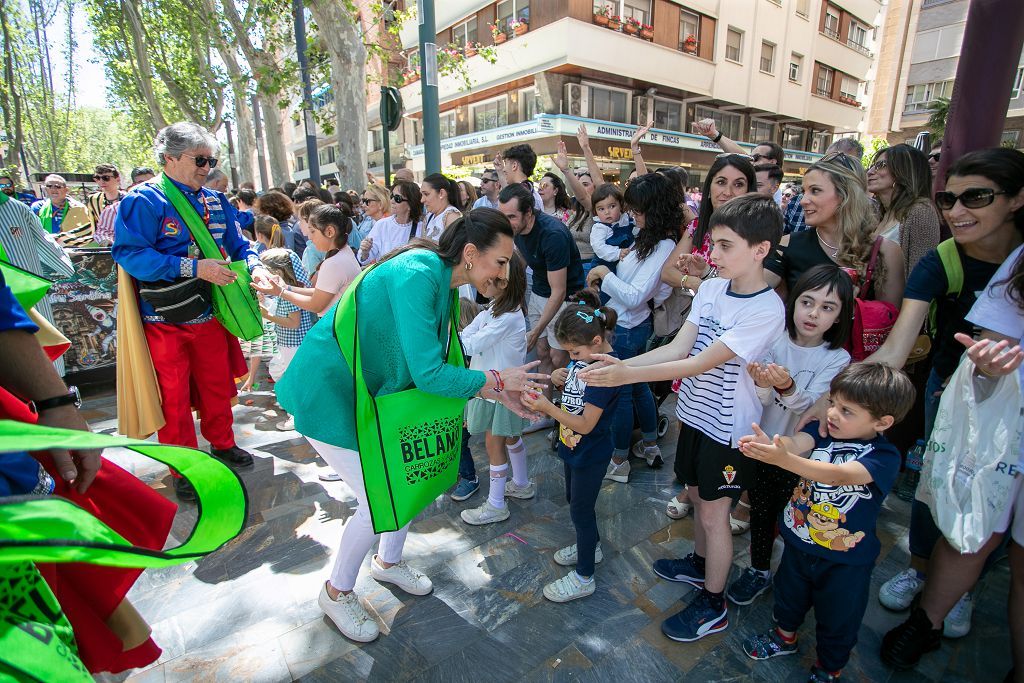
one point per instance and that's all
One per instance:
(196, 366)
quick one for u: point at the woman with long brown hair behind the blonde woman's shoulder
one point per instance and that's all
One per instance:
(902, 182)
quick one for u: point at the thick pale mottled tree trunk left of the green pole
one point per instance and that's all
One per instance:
(340, 33)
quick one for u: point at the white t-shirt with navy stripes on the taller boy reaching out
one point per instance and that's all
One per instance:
(723, 403)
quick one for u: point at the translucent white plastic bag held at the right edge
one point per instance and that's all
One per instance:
(969, 465)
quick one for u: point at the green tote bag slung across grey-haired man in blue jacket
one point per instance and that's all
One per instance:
(234, 305)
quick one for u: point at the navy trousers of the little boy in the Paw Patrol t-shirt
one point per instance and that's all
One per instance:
(838, 593)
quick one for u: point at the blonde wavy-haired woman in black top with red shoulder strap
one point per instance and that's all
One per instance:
(837, 207)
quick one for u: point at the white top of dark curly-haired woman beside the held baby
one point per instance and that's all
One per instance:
(635, 283)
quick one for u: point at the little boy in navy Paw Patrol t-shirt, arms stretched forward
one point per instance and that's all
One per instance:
(834, 514)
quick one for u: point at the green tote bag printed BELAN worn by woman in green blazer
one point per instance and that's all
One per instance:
(410, 441)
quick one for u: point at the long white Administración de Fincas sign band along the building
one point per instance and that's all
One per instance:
(563, 124)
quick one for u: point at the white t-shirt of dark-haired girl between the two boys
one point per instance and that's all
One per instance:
(813, 369)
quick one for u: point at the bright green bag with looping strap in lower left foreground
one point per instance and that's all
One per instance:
(36, 641)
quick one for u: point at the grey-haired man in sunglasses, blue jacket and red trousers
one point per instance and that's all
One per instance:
(193, 355)
